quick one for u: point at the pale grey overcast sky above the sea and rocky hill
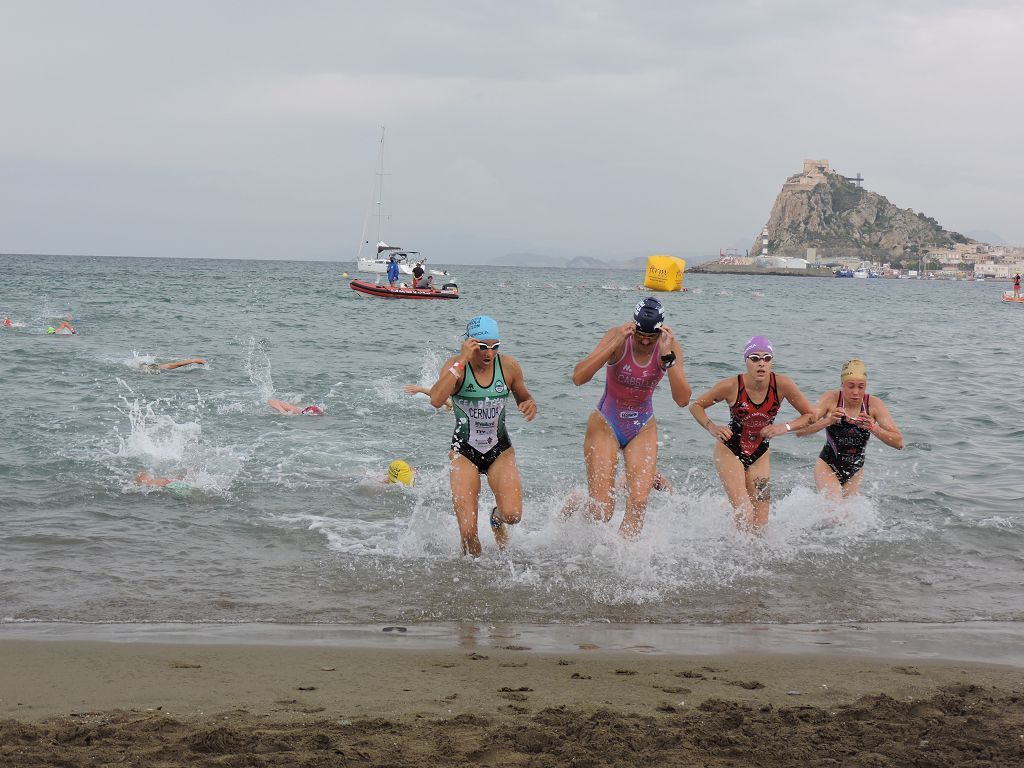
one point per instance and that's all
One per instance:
(250, 130)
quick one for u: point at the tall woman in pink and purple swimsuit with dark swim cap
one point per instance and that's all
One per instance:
(635, 358)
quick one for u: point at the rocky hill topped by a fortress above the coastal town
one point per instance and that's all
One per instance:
(820, 208)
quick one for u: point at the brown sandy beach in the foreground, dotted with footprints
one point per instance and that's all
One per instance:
(75, 703)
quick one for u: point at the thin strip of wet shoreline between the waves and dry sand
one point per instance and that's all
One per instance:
(984, 643)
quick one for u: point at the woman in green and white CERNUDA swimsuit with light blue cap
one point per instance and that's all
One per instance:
(480, 381)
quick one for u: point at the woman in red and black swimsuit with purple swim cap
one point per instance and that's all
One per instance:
(742, 455)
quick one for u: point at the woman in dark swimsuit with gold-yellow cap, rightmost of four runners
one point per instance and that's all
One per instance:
(850, 417)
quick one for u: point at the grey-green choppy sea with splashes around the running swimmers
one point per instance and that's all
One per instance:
(289, 521)
